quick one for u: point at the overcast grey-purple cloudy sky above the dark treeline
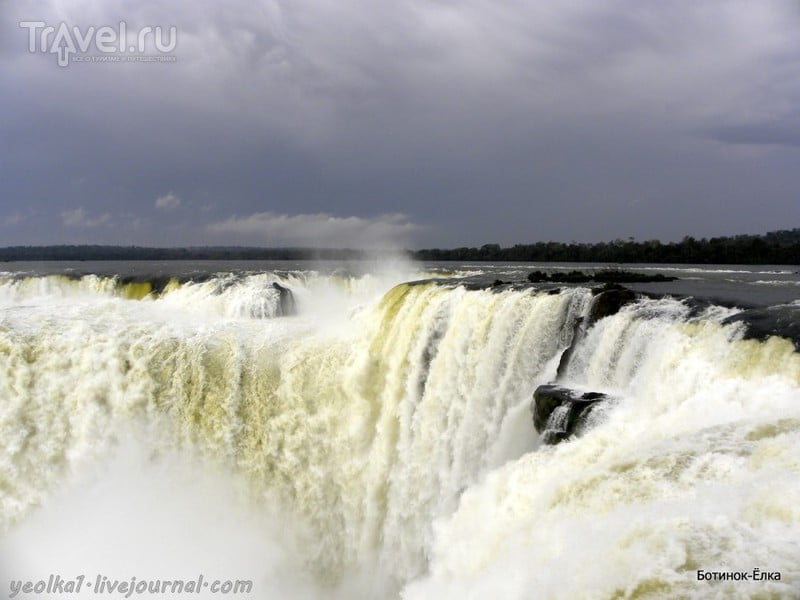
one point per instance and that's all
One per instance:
(409, 124)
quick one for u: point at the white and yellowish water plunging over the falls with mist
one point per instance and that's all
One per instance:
(378, 443)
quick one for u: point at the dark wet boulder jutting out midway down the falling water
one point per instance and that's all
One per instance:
(559, 412)
